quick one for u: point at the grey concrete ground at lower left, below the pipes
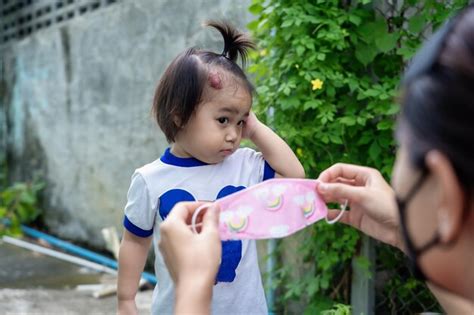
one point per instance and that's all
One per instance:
(32, 283)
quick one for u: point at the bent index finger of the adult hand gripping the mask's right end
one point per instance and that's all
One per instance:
(359, 174)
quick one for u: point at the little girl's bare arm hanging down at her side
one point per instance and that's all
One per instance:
(132, 257)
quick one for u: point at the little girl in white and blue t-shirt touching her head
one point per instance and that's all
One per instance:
(203, 106)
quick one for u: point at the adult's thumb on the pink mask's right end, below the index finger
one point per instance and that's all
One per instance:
(335, 192)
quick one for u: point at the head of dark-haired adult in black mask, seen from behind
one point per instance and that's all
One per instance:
(434, 173)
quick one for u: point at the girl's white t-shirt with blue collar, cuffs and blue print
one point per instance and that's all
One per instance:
(158, 186)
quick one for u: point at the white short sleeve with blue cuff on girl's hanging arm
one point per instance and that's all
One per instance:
(139, 213)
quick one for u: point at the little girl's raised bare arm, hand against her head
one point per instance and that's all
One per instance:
(275, 151)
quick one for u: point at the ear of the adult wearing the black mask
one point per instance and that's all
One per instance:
(448, 194)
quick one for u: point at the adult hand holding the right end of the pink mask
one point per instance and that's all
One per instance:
(373, 208)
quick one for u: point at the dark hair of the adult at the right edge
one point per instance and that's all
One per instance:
(438, 98)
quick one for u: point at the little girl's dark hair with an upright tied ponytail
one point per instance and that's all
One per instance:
(181, 87)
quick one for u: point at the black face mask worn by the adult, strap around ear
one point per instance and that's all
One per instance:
(413, 252)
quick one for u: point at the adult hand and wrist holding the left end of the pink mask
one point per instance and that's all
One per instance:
(192, 258)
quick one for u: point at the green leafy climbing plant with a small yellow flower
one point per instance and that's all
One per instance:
(329, 71)
